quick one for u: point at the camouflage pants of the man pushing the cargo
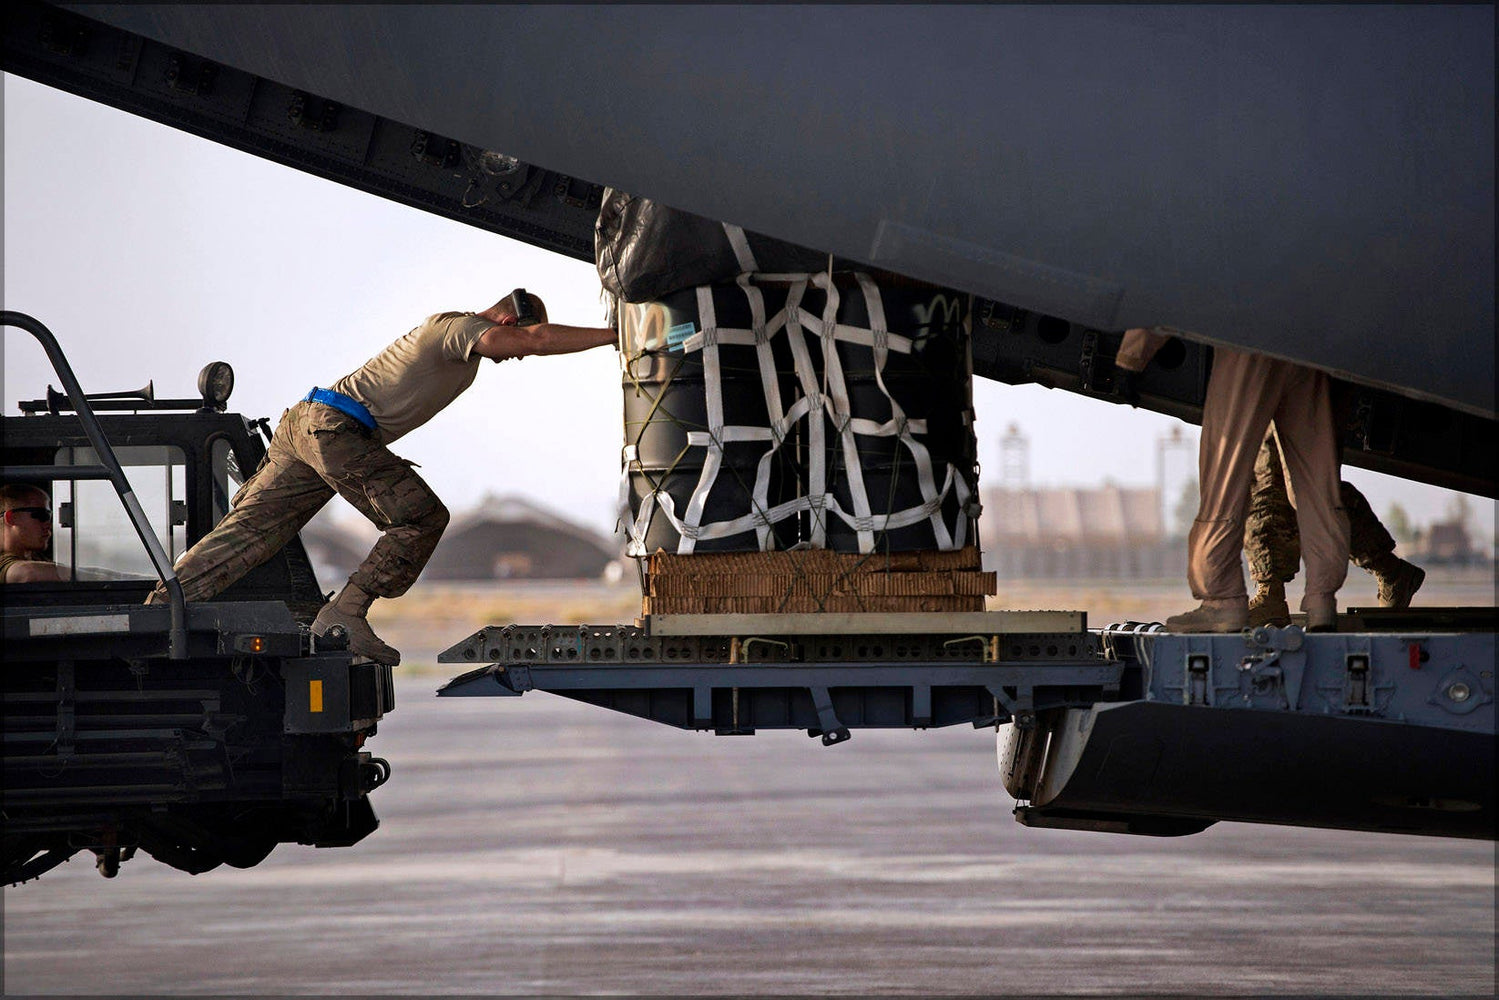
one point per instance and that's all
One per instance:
(317, 452)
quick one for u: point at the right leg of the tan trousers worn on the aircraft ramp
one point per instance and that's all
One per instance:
(1308, 440)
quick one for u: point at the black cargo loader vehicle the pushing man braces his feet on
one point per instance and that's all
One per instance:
(199, 734)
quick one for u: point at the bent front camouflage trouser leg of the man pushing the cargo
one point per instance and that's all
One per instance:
(383, 488)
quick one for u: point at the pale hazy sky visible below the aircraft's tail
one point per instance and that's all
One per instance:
(151, 253)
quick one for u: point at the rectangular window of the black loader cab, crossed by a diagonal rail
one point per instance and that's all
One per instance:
(92, 533)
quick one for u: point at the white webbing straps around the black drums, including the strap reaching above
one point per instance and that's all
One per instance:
(827, 397)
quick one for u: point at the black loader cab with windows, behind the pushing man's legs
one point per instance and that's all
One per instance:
(185, 461)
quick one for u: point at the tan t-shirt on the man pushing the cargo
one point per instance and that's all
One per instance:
(410, 382)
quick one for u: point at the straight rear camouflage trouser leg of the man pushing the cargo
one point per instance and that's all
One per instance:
(266, 513)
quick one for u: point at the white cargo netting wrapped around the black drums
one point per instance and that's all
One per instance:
(819, 415)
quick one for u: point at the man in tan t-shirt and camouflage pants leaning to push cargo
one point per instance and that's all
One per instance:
(337, 442)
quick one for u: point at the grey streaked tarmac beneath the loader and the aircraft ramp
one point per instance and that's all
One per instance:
(534, 846)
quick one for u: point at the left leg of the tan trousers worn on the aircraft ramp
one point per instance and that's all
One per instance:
(1243, 394)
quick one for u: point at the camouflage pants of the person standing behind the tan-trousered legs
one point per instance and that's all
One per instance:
(1270, 530)
